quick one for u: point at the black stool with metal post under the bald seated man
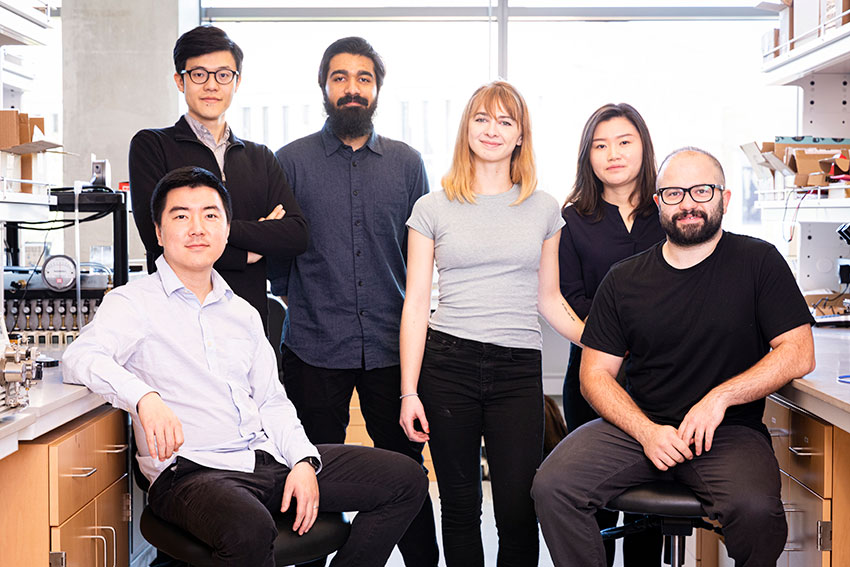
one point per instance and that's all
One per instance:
(667, 505)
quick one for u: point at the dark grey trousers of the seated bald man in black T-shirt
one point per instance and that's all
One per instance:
(737, 481)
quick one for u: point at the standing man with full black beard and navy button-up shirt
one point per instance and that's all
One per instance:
(346, 292)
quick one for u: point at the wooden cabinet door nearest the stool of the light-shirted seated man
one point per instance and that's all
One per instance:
(113, 522)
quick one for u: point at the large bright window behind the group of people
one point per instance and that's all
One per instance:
(697, 81)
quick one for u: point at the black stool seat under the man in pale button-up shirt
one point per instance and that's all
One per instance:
(327, 535)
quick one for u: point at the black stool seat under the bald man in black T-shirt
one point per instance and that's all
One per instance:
(659, 499)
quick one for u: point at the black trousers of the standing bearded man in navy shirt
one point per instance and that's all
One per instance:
(322, 397)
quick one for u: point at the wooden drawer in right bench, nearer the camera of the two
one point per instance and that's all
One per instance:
(810, 453)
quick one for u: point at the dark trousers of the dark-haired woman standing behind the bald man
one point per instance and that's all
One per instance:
(641, 549)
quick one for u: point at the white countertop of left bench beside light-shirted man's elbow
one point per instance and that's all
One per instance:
(52, 403)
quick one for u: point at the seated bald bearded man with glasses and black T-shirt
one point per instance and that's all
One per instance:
(712, 323)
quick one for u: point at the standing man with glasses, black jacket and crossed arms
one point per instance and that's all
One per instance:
(267, 222)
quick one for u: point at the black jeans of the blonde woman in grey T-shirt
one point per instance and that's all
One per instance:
(470, 389)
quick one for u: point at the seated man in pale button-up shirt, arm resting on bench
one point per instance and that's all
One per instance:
(218, 437)
